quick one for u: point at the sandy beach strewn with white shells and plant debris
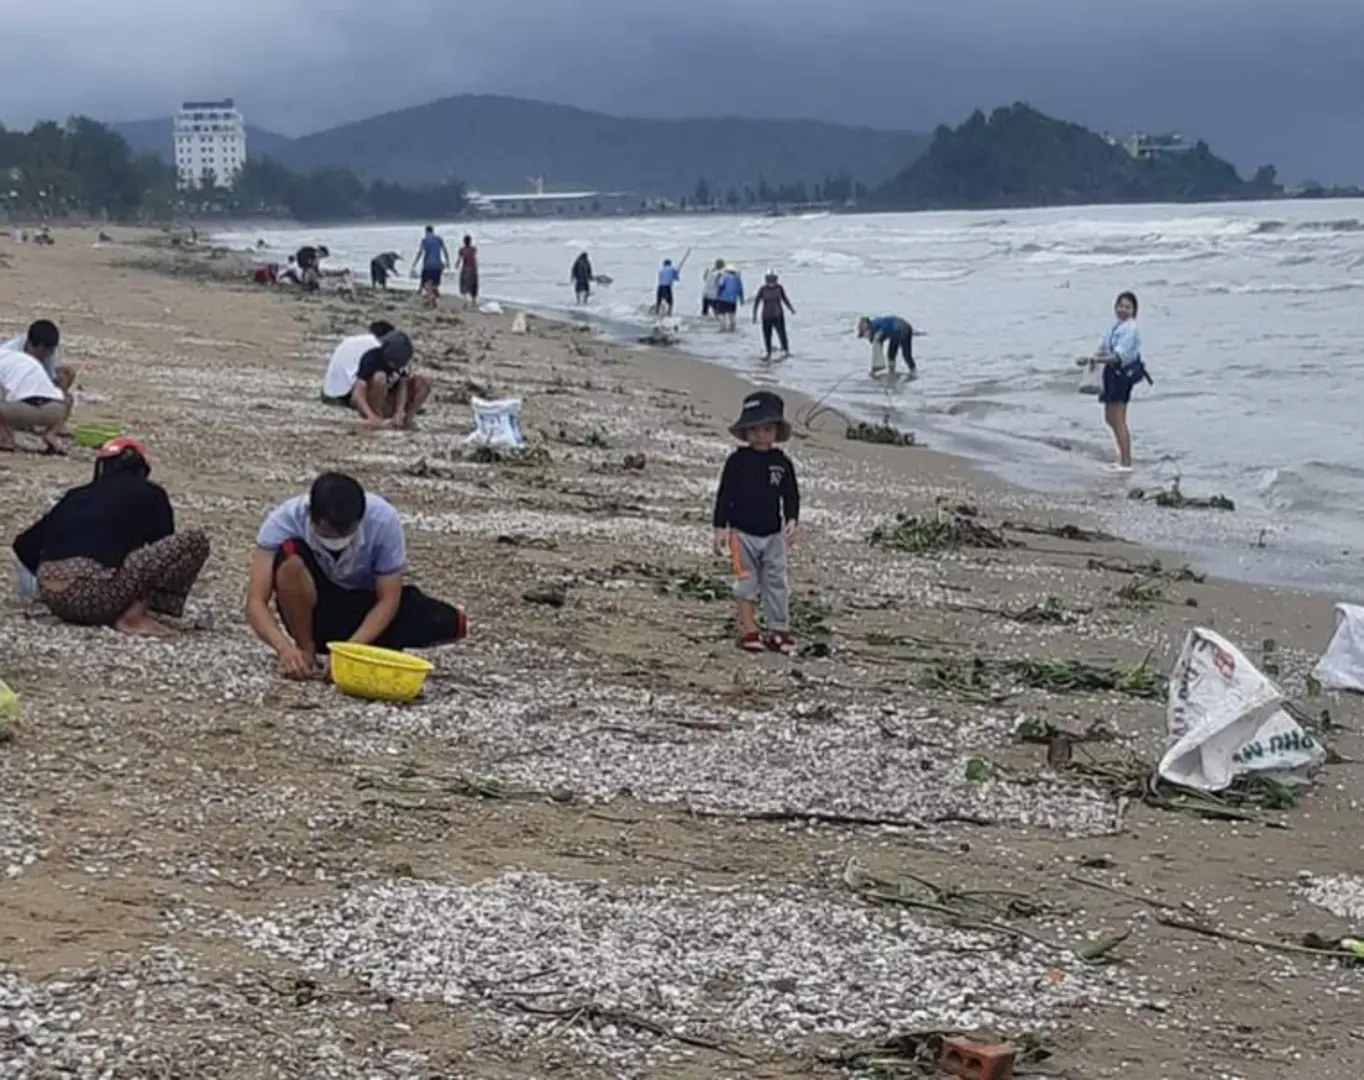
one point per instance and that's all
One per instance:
(605, 843)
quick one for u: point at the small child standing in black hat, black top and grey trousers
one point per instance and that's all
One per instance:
(756, 511)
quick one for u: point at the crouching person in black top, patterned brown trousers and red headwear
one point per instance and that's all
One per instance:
(108, 553)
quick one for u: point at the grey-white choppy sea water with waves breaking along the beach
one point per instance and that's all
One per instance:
(1253, 328)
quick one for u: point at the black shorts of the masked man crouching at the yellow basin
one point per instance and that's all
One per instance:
(422, 621)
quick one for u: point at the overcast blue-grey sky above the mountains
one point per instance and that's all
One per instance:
(1261, 80)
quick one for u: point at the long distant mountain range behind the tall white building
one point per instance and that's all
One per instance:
(501, 144)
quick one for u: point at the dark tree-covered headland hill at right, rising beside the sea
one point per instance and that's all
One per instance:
(1021, 157)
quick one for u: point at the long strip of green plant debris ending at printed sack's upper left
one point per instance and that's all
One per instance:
(981, 677)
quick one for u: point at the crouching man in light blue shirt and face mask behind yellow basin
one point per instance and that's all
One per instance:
(333, 562)
